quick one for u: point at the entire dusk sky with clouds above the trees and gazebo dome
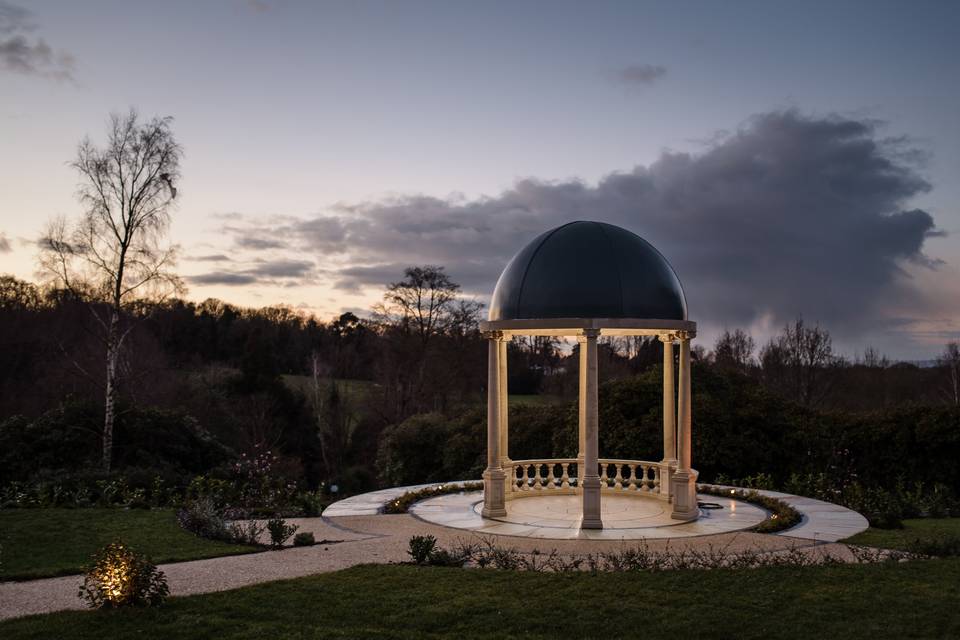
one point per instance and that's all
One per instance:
(787, 158)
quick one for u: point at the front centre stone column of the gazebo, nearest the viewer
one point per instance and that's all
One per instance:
(590, 415)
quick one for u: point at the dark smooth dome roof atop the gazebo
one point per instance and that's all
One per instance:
(588, 270)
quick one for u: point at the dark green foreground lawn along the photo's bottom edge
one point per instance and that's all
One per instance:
(908, 600)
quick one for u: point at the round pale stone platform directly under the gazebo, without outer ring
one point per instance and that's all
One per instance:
(558, 517)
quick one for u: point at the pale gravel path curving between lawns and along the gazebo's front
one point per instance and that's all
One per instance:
(359, 540)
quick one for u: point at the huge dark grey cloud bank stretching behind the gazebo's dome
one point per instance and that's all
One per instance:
(788, 215)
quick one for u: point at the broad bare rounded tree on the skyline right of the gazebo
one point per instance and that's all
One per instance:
(800, 362)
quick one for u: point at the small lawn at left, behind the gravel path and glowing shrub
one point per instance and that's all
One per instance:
(39, 543)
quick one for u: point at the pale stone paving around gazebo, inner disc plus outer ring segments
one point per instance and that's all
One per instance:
(625, 517)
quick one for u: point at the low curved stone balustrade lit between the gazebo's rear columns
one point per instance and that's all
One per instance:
(559, 476)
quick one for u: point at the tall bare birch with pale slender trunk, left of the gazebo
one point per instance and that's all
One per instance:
(113, 252)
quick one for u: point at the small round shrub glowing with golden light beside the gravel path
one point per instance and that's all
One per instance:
(121, 577)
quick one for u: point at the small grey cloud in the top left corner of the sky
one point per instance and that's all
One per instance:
(24, 54)
